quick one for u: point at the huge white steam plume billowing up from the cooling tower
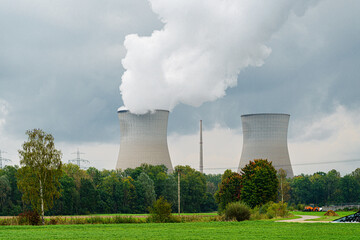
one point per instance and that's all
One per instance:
(200, 51)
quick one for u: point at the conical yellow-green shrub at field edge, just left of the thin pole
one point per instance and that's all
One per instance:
(161, 211)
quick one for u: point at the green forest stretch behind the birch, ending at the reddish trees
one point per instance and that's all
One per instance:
(115, 191)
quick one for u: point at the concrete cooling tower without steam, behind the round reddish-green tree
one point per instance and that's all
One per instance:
(265, 137)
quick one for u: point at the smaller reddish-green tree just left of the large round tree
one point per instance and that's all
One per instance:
(229, 189)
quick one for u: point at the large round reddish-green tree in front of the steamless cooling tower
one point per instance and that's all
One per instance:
(260, 183)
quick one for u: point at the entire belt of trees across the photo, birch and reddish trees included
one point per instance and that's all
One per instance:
(45, 184)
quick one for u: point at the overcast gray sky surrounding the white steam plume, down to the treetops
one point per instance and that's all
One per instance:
(61, 68)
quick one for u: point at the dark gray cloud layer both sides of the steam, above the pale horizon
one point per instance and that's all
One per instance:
(60, 68)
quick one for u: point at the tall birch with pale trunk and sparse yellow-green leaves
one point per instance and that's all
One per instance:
(38, 177)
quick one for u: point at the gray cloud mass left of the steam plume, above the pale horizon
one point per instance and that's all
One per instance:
(60, 64)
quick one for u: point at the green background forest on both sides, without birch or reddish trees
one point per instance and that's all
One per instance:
(134, 190)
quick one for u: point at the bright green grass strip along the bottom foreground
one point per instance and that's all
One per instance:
(196, 230)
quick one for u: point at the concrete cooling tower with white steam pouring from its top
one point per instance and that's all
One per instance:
(143, 139)
